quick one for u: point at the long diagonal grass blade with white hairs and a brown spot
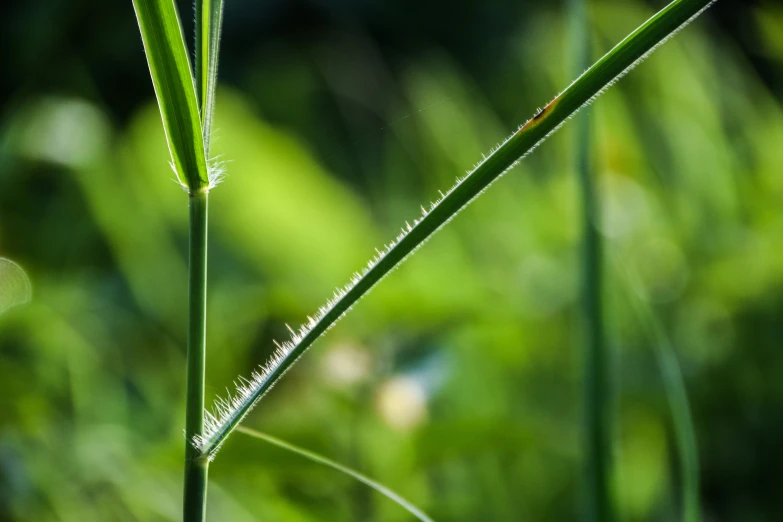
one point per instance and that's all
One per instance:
(632, 50)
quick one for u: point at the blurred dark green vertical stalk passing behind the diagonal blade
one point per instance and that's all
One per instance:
(597, 447)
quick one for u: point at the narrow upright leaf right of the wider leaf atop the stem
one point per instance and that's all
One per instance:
(210, 15)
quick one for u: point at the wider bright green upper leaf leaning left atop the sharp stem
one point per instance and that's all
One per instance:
(172, 79)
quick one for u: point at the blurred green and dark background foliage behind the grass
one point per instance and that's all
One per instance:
(456, 382)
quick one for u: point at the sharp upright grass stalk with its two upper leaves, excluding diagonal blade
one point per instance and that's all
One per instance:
(186, 101)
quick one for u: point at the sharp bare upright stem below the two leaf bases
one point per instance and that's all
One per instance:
(196, 464)
